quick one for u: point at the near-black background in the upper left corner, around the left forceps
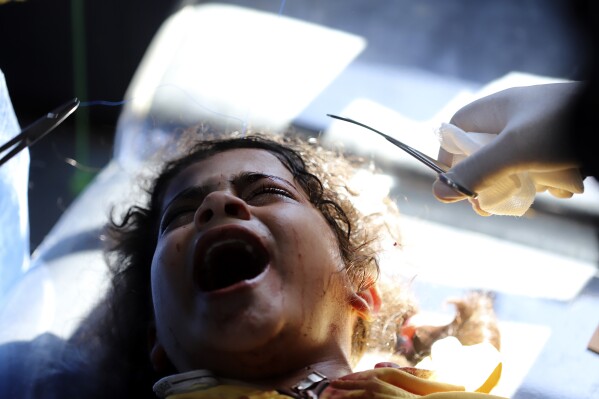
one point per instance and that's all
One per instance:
(54, 50)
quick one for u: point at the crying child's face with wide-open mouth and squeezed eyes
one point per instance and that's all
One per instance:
(247, 278)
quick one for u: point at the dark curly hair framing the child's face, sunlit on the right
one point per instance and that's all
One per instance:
(119, 324)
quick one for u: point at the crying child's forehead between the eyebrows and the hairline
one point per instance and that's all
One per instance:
(220, 168)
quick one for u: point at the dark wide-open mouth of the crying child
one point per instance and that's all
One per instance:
(230, 261)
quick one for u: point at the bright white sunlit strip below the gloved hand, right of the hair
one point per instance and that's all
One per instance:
(441, 255)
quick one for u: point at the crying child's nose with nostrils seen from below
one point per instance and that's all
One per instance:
(221, 204)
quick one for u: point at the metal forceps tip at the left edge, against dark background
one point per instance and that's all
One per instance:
(38, 129)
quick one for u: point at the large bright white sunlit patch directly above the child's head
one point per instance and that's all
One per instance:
(231, 66)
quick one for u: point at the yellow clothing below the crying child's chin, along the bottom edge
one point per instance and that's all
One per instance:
(379, 383)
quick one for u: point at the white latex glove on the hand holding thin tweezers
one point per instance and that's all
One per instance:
(510, 145)
